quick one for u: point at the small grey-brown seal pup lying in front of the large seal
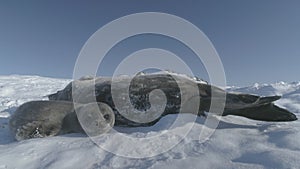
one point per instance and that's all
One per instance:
(38, 119)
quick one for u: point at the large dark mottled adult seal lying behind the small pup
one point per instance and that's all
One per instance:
(239, 104)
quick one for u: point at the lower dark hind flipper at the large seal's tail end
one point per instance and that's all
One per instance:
(267, 112)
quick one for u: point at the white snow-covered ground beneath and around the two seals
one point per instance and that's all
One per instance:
(237, 142)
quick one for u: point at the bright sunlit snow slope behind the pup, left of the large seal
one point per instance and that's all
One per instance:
(17, 89)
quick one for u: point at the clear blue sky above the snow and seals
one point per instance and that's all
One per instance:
(257, 41)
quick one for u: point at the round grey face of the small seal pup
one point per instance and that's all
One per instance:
(95, 118)
